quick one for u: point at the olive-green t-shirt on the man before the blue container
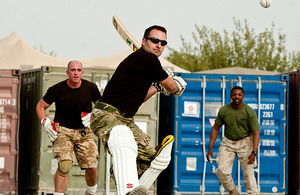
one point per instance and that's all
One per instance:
(238, 123)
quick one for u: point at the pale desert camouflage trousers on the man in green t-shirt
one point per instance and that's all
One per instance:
(228, 150)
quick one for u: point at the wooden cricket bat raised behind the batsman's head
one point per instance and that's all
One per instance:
(126, 36)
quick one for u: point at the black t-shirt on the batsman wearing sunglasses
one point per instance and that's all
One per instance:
(128, 87)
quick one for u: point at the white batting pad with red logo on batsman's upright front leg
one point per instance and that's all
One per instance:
(123, 149)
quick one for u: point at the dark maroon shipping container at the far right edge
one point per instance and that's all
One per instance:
(294, 132)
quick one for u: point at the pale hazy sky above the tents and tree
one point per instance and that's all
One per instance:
(82, 29)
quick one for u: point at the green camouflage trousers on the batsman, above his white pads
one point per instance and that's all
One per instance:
(102, 123)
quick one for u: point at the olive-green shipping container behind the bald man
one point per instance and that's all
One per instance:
(37, 164)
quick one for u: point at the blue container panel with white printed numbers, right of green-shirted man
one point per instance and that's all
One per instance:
(272, 139)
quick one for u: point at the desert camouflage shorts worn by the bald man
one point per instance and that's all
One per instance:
(78, 141)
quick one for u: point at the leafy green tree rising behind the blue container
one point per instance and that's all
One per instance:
(242, 48)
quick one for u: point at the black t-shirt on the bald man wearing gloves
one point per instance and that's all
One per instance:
(69, 103)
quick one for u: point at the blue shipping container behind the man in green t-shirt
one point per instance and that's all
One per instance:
(191, 116)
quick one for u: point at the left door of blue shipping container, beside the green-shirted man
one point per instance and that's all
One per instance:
(197, 110)
